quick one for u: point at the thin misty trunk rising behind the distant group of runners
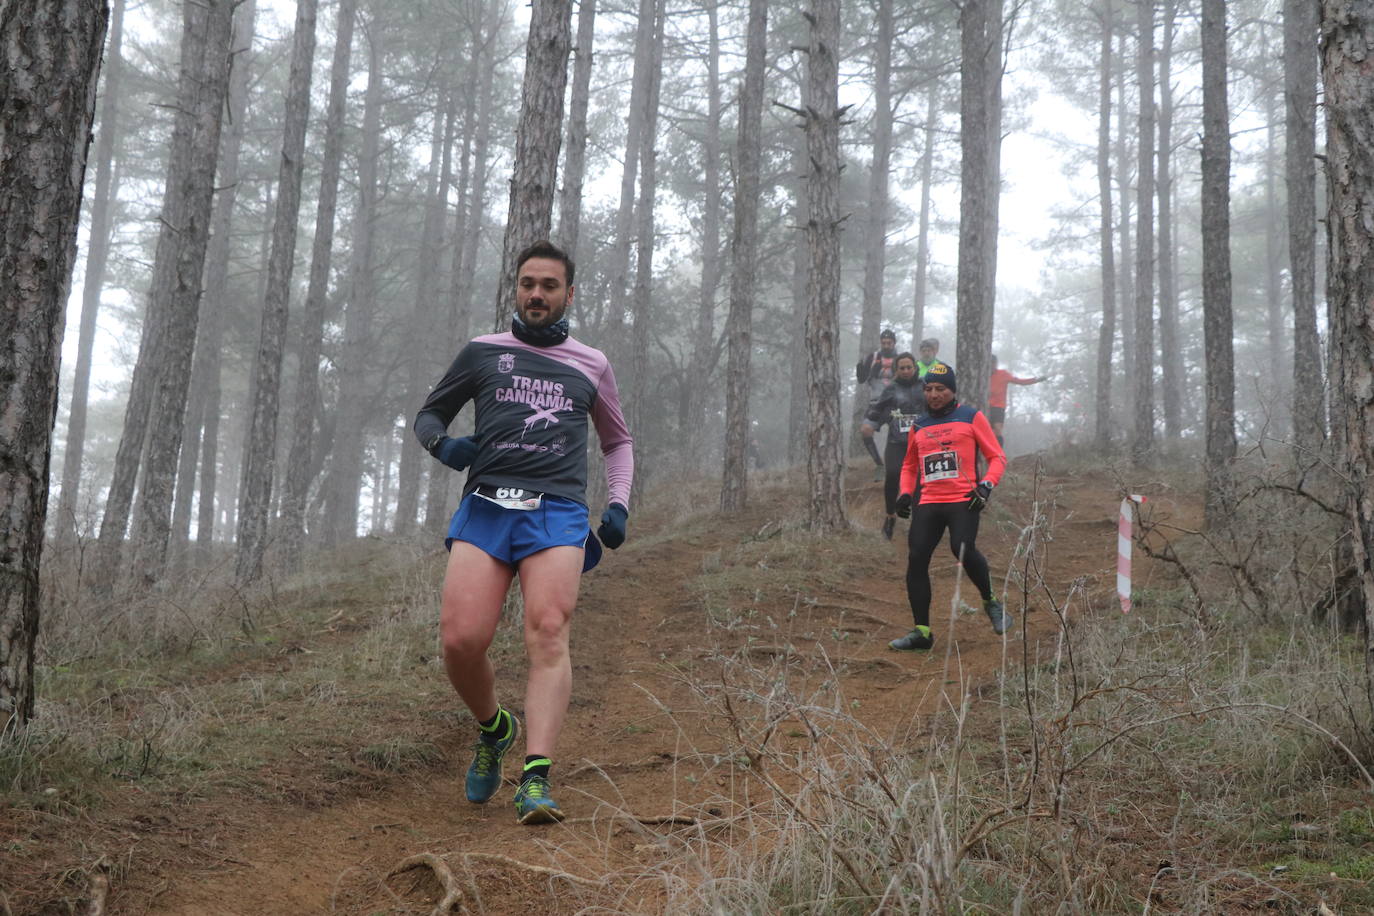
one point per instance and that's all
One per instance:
(876, 230)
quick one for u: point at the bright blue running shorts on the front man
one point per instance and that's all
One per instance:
(513, 535)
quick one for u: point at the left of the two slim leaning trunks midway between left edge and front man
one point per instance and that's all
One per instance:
(260, 446)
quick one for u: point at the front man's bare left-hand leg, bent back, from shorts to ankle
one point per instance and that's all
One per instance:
(475, 590)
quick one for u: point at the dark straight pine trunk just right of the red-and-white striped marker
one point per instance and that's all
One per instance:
(1217, 266)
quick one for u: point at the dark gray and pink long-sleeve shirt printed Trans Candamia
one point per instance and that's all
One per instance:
(532, 410)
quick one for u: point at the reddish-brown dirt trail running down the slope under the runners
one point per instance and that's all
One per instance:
(620, 751)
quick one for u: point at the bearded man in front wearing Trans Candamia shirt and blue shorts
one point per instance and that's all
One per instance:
(524, 512)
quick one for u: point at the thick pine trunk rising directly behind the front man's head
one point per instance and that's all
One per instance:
(538, 139)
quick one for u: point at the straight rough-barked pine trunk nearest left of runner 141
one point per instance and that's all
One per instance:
(825, 453)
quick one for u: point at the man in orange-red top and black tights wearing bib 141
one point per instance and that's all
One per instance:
(939, 477)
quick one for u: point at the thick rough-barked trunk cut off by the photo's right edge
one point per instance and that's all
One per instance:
(1347, 57)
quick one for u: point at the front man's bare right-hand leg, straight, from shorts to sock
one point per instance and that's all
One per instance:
(549, 582)
